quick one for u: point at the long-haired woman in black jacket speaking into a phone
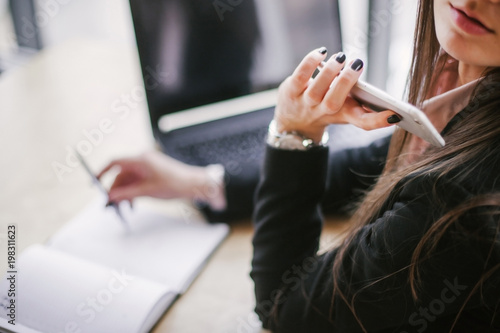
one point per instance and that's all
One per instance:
(424, 252)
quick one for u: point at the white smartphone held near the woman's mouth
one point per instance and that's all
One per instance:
(413, 119)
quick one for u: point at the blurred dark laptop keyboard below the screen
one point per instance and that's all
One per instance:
(243, 147)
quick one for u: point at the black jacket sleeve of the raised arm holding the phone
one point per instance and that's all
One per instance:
(294, 286)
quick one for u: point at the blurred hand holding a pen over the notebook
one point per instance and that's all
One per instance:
(157, 175)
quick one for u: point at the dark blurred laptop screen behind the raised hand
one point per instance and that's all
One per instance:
(195, 52)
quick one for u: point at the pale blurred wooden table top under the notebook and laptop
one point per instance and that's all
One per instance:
(55, 102)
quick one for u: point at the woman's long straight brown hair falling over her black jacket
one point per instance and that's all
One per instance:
(476, 139)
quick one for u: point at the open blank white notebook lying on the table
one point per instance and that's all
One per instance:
(96, 276)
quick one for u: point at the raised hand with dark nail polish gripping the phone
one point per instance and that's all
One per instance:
(308, 106)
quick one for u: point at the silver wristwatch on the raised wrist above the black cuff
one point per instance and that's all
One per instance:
(292, 140)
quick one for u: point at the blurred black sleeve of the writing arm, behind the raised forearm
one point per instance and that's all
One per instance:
(350, 173)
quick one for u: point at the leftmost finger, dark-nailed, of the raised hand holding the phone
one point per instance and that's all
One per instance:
(304, 71)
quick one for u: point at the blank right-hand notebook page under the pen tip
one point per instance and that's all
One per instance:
(167, 250)
